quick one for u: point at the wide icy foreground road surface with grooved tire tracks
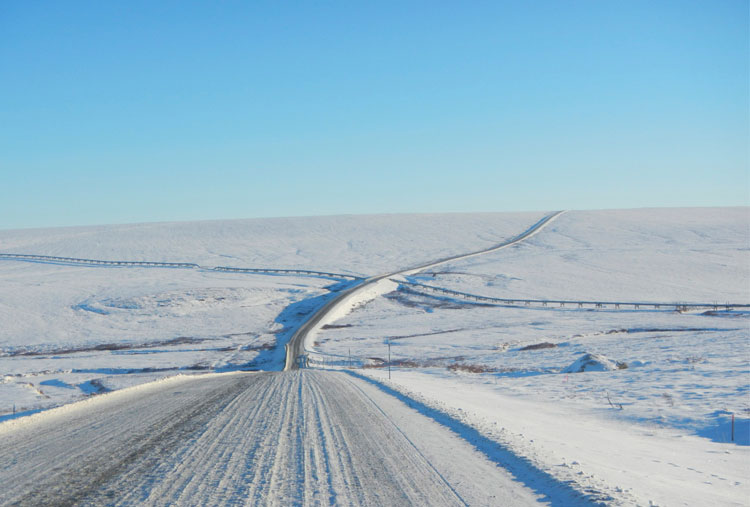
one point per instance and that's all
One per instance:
(245, 438)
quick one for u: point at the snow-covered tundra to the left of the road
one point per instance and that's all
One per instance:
(69, 331)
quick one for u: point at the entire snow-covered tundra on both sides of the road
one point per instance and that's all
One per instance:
(648, 421)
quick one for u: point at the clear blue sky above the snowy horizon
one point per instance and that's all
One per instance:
(116, 112)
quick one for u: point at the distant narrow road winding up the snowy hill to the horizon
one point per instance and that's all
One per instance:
(296, 346)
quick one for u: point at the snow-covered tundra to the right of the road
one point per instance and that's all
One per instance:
(653, 412)
